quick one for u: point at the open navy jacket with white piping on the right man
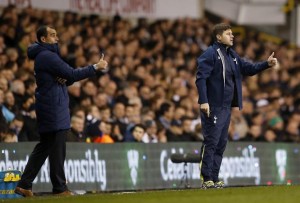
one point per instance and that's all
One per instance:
(210, 79)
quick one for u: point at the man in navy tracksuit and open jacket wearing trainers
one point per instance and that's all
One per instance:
(219, 84)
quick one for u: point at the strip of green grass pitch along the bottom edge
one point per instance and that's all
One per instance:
(259, 194)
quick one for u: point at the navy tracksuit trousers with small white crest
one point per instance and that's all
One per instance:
(215, 132)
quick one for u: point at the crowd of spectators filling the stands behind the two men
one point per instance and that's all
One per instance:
(149, 94)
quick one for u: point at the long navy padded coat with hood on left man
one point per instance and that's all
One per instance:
(52, 99)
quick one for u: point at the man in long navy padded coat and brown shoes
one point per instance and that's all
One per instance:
(52, 109)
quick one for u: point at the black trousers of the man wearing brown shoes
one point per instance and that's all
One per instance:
(52, 145)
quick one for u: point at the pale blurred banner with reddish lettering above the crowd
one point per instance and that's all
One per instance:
(156, 9)
